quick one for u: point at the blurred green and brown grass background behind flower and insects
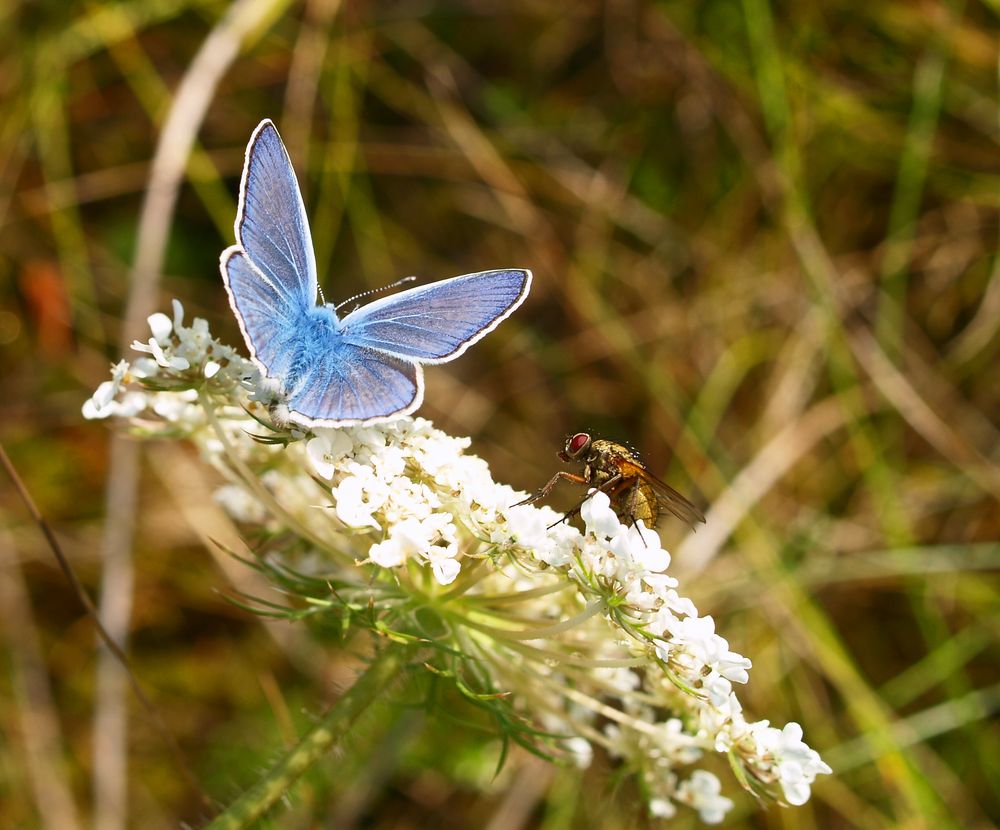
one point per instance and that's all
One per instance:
(764, 240)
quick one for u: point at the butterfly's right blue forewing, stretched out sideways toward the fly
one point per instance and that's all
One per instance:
(437, 322)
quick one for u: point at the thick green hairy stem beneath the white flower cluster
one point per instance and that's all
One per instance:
(316, 742)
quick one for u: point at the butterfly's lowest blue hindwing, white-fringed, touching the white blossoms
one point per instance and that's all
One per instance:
(347, 384)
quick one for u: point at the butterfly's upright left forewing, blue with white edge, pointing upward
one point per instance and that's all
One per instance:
(271, 224)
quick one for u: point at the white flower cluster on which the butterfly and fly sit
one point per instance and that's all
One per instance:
(587, 630)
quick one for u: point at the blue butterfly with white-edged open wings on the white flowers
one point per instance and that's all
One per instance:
(361, 369)
